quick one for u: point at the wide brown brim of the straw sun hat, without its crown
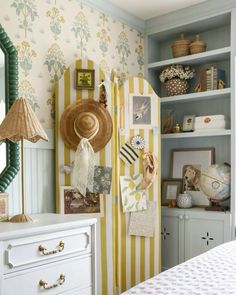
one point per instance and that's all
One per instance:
(86, 105)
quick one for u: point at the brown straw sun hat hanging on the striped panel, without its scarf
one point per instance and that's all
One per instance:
(86, 118)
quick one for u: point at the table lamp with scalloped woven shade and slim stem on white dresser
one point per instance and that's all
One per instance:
(21, 123)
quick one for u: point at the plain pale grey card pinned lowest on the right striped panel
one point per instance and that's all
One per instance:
(142, 223)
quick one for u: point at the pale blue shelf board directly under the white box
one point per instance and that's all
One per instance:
(196, 134)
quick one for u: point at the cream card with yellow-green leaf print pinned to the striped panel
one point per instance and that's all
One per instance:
(133, 197)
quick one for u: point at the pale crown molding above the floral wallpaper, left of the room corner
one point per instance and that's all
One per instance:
(117, 13)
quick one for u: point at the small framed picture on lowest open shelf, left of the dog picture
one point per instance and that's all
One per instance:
(170, 189)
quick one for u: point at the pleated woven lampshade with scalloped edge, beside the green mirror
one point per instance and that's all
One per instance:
(21, 123)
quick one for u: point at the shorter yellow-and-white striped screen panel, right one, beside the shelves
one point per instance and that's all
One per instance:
(138, 257)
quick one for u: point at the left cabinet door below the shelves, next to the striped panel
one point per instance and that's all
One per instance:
(172, 236)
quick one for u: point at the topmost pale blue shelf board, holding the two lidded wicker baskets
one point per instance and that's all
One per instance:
(200, 58)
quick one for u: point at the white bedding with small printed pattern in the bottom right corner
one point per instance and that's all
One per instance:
(211, 273)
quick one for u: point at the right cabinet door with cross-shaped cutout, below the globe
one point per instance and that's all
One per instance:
(204, 231)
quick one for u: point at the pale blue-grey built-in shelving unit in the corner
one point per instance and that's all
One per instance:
(218, 30)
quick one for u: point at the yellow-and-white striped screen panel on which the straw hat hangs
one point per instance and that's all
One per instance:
(65, 95)
